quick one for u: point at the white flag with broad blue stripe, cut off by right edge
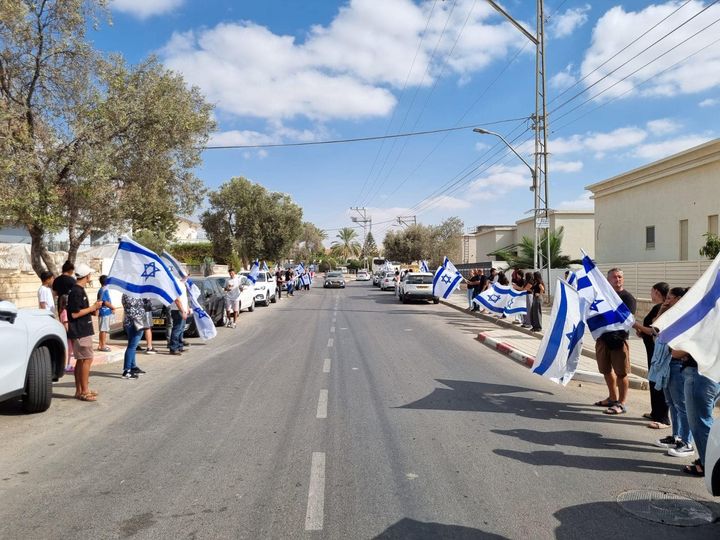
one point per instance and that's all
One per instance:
(693, 324)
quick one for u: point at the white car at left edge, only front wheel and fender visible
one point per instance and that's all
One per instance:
(34, 347)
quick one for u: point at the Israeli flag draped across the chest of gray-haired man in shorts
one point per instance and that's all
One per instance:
(605, 312)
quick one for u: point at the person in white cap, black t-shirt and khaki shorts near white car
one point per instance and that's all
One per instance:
(80, 331)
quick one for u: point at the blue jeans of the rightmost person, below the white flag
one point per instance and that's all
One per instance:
(701, 394)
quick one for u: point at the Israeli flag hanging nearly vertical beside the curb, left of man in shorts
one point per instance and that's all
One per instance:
(559, 352)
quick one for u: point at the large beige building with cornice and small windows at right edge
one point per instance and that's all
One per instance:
(659, 212)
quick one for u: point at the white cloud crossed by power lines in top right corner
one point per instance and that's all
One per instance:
(614, 30)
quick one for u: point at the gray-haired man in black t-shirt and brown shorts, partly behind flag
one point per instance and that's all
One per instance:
(613, 352)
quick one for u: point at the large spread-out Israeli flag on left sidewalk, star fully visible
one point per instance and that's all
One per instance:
(141, 273)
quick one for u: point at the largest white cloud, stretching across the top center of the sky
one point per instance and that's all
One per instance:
(345, 70)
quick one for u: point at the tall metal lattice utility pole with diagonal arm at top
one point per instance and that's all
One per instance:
(541, 210)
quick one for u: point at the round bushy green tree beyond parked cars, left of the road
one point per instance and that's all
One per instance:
(246, 219)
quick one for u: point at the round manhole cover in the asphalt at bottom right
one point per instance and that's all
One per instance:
(665, 507)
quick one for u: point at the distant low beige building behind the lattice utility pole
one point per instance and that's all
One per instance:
(480, 245)
